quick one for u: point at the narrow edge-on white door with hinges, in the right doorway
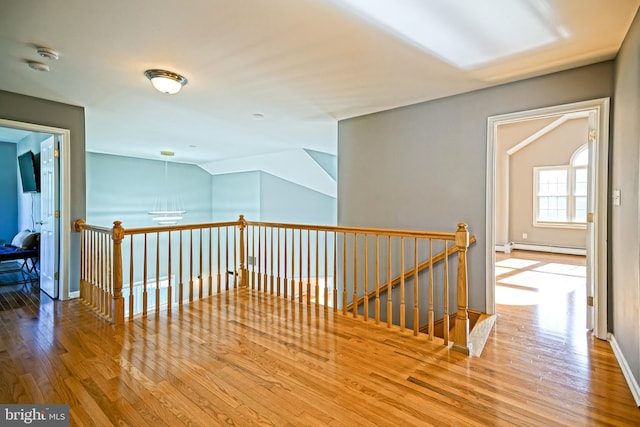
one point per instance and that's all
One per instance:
(591, 211)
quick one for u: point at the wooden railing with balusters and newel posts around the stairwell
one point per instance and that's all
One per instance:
(130, 272)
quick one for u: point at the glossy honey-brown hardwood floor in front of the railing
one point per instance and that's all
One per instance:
(242, 358)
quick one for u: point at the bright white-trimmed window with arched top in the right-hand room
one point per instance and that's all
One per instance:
(560, 192)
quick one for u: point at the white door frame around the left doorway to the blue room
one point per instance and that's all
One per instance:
(64, 185)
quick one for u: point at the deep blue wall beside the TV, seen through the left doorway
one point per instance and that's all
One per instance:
(8, 192)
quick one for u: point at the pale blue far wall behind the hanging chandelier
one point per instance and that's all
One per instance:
(126, 188)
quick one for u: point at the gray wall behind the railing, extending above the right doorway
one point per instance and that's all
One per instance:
(424, 166)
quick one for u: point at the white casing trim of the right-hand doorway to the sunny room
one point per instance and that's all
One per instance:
(596, 248)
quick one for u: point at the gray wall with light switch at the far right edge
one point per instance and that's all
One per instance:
(625, 238)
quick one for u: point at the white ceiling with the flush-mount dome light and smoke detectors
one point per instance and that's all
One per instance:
(302, 64)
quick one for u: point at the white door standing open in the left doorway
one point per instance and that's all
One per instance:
(50, 213)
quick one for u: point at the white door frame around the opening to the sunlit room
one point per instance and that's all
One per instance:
(601, 106)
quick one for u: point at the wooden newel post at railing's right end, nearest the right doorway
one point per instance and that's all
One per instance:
(461, 339)
